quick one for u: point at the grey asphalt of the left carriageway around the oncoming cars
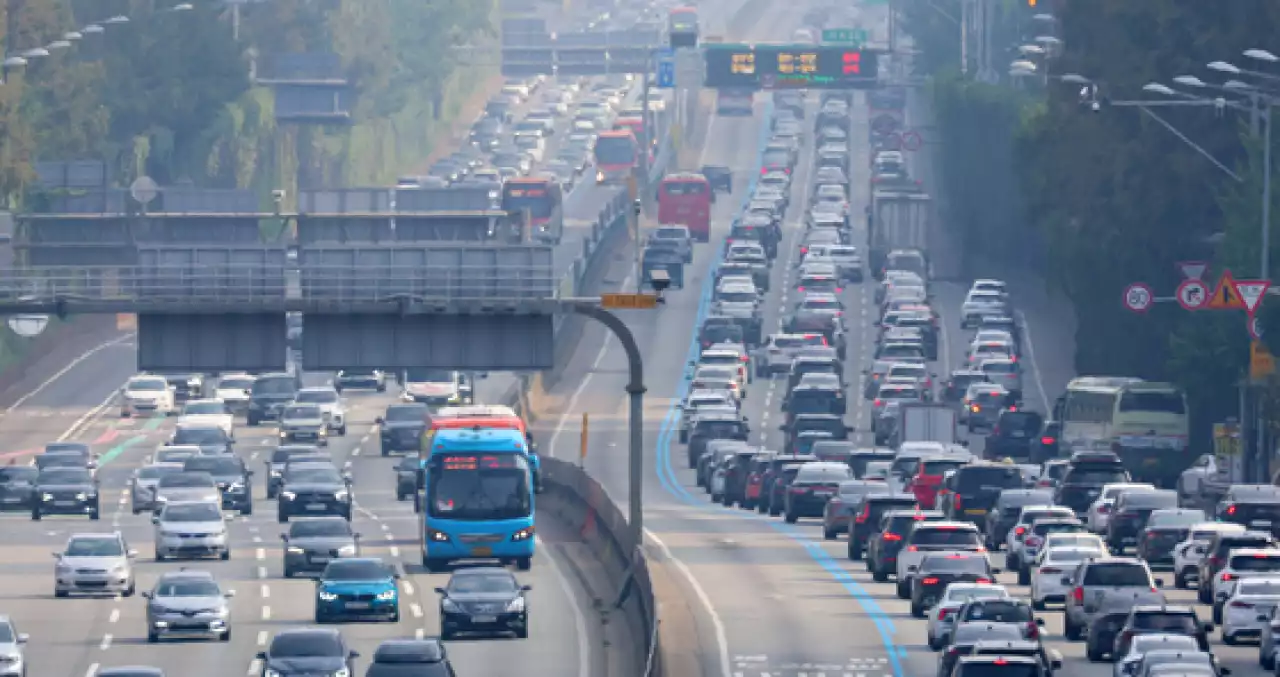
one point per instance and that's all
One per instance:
(77, 637)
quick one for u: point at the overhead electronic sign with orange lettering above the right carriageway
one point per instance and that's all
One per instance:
(784, 67)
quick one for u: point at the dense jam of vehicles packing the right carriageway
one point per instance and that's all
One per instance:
(835, 388)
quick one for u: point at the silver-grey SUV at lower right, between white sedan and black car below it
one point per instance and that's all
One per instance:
(1101, 585)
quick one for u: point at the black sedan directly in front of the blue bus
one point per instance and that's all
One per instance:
(484, 600)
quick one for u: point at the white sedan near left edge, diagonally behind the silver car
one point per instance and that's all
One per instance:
(95, 564)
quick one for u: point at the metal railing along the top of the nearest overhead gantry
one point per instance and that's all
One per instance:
(268, 286)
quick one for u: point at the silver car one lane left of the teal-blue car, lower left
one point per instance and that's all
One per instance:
(189, 603)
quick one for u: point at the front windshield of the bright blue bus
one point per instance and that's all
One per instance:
(479, 487)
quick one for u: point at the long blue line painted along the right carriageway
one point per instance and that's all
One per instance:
(671, 483)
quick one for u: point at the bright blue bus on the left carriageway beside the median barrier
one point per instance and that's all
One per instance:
(478, 498)
